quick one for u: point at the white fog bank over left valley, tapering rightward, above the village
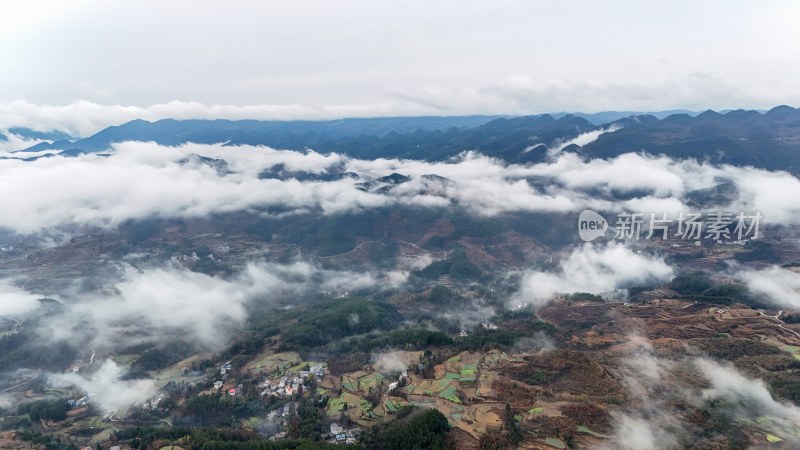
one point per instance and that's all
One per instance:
(147, 304)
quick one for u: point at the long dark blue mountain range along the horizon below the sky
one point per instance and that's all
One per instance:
(768, 140)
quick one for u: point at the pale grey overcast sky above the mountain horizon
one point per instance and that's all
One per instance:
(319, 59)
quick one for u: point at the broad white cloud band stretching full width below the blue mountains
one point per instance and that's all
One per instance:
(140, 180)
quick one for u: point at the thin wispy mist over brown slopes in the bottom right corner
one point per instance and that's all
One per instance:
(656, 384)
